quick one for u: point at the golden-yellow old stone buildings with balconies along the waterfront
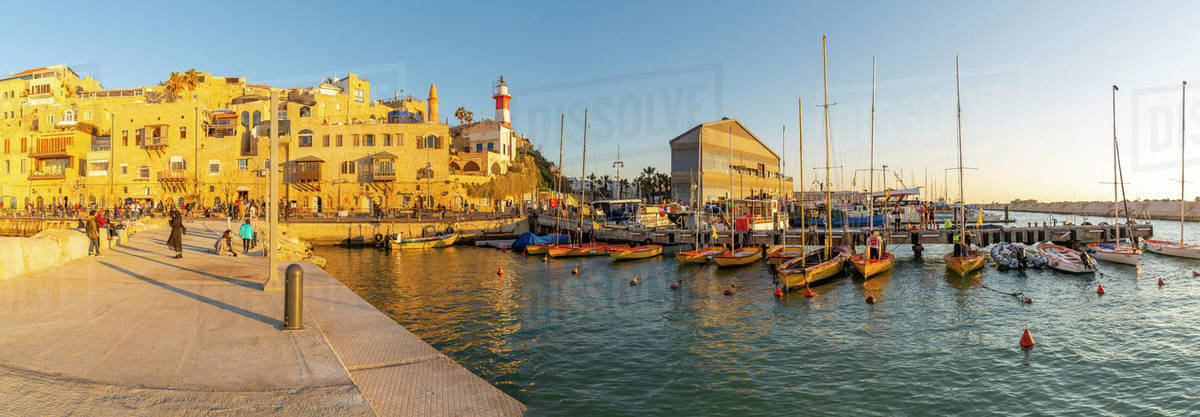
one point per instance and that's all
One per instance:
(205, 140)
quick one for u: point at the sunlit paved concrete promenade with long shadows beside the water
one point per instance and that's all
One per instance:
(139, 334)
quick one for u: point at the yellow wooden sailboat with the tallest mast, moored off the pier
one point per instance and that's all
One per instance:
(823, 263)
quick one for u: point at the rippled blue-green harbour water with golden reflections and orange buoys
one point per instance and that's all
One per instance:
(934, 345)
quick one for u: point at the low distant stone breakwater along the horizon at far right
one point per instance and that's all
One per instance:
(1138, 210)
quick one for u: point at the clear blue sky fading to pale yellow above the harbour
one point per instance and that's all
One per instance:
(1036, 77)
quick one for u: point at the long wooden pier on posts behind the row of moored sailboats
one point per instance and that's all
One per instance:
(1071, 235)
